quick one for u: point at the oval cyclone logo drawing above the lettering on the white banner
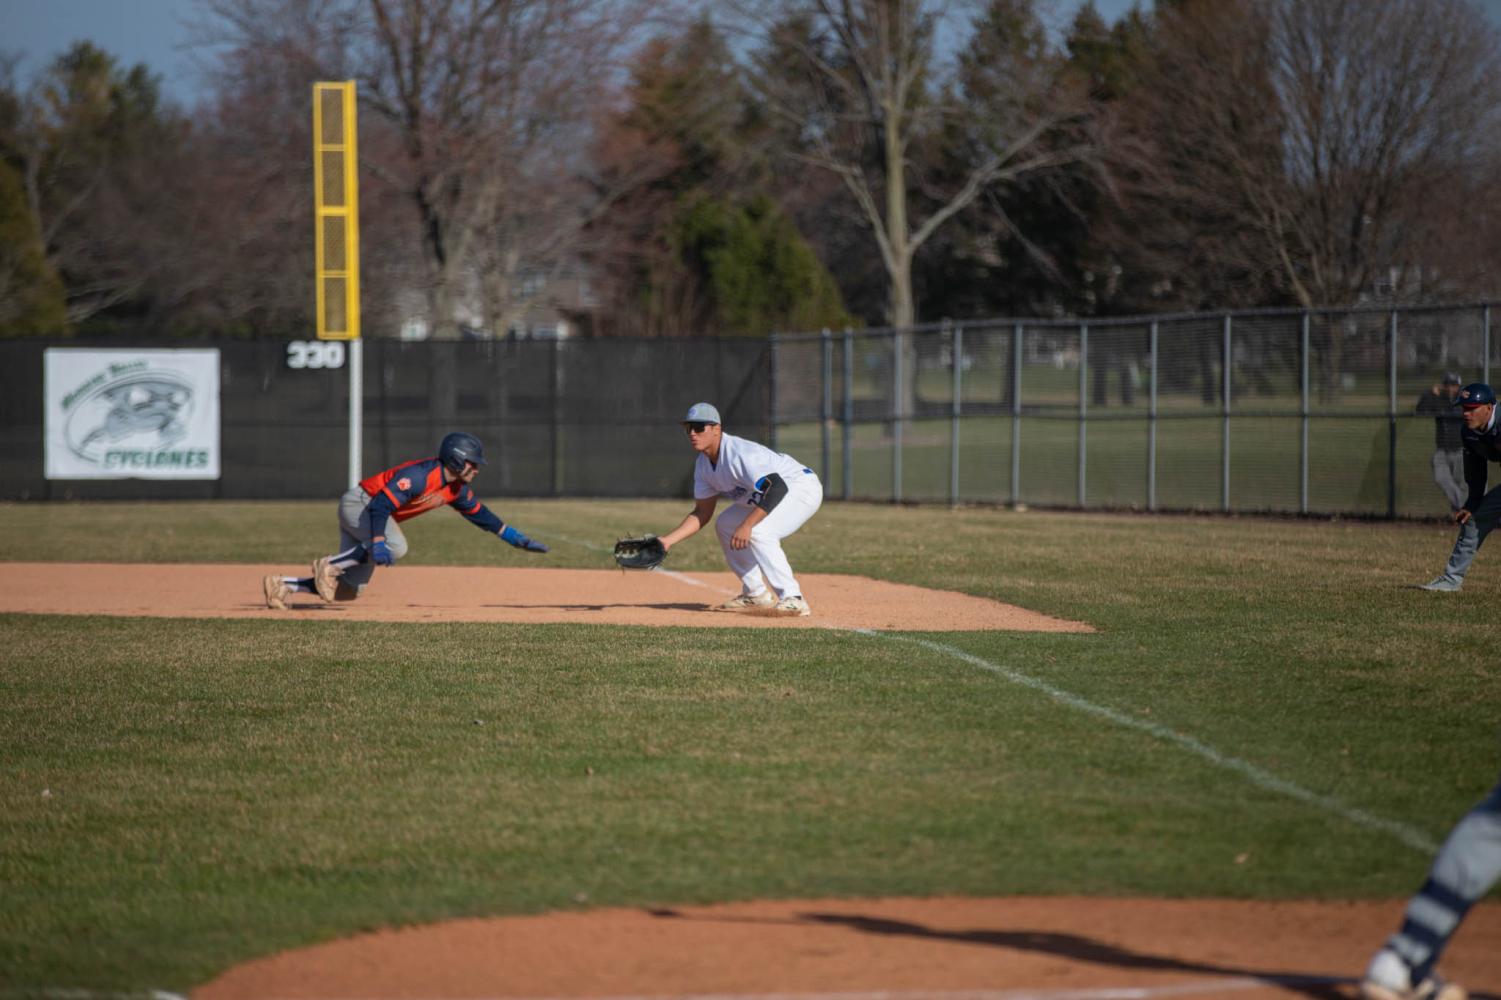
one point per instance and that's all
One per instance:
(148, 411)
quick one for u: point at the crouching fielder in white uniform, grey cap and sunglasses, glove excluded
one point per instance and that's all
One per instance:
(771, 496)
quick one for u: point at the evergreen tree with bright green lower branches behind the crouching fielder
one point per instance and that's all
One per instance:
(700, 248)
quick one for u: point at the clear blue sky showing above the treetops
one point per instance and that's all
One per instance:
(152, 32)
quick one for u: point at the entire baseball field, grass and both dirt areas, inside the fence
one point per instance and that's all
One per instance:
(1221, 771)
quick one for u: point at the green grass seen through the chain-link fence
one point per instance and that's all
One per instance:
(1349, 459)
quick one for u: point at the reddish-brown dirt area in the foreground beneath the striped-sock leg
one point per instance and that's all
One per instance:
(879, 950)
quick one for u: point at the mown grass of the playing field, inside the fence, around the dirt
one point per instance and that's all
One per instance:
(1266, 711)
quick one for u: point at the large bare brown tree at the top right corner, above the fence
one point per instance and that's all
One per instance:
(1296, 149)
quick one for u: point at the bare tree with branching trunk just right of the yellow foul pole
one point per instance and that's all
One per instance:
(490, 98)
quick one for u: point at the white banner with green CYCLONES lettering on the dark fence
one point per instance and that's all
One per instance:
(131, 414)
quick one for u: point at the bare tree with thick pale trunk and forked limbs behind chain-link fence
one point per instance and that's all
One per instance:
(865, 97)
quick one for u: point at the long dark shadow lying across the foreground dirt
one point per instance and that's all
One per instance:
(1069, 947)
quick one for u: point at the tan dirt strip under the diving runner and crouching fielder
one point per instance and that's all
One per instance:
(426, 594)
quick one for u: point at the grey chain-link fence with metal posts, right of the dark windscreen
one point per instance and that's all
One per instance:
(1292, 412)
